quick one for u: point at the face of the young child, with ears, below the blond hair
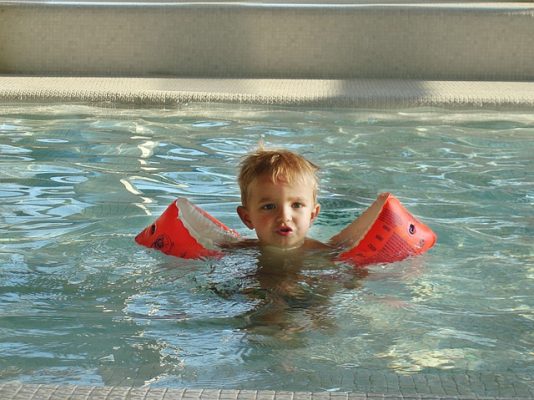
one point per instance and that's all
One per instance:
(281, 213)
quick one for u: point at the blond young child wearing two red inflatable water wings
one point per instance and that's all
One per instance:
(279, 201)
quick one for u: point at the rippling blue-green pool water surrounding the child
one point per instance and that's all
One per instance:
(81, 303)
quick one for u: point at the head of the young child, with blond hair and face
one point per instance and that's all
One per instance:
(279, 196)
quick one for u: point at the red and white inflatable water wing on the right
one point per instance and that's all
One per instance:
(385, 232)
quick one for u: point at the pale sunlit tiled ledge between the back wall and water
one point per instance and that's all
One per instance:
(314, 92)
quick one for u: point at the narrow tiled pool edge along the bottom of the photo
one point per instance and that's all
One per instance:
(17, 391)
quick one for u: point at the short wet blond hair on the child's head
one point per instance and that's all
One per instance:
(280, 165)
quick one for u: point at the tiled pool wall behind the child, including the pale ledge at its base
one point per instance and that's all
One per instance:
(342, 53)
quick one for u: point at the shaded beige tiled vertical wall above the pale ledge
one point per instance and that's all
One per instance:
(426, 41)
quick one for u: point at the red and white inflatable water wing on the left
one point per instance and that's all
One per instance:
(185, 230)
